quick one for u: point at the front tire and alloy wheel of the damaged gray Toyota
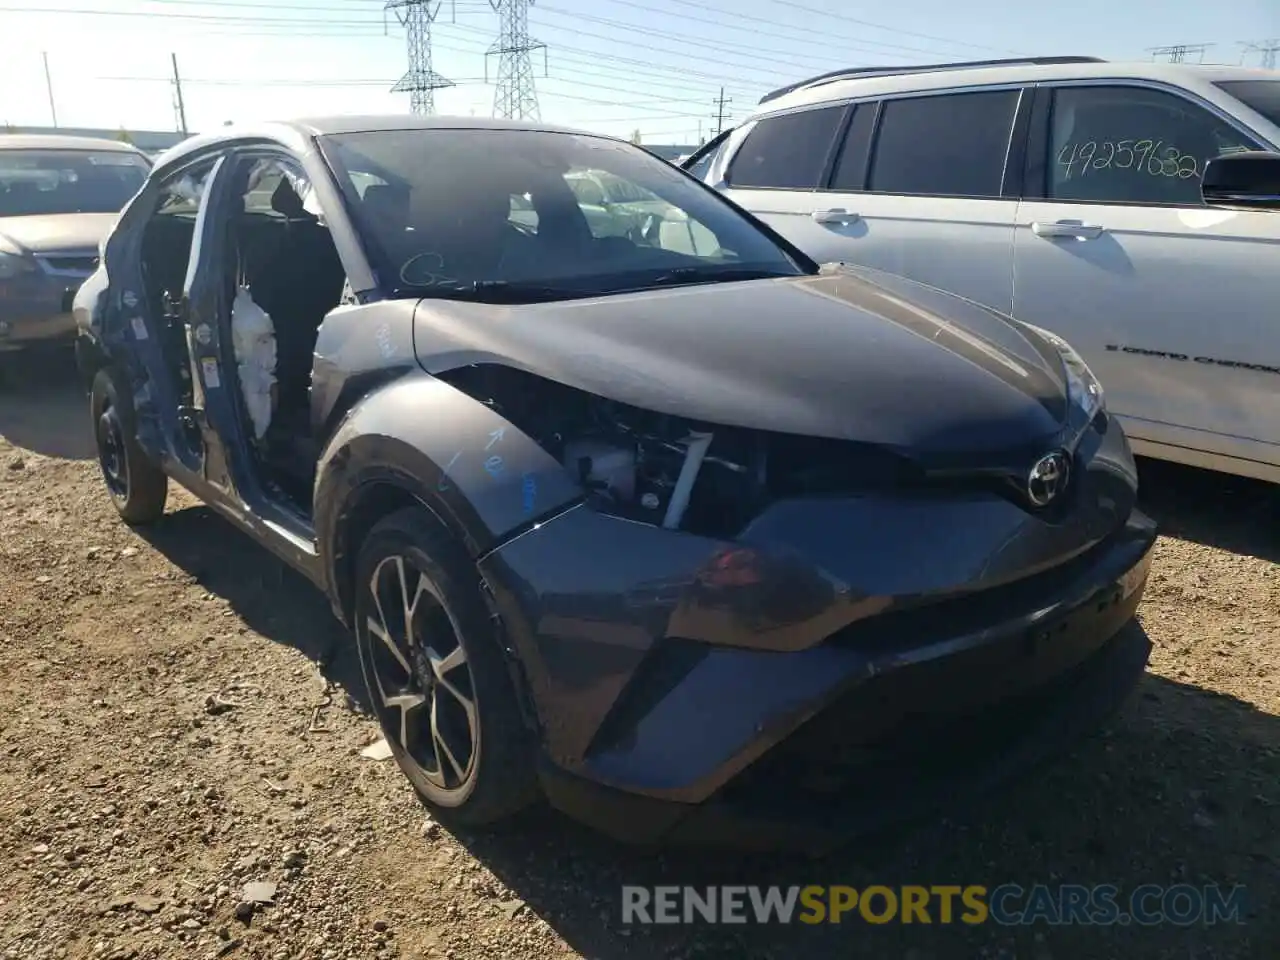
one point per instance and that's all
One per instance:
(436, 675)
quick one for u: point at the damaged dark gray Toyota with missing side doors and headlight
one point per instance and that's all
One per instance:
(650, 515)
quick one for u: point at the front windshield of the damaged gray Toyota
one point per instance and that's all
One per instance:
(538, 216)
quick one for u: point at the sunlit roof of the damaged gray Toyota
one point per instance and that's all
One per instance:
(296, 134)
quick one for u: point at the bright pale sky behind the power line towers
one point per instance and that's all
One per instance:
(614, 66)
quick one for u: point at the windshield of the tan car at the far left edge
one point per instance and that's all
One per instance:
(38, 182)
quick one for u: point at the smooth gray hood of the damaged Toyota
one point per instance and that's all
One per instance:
(847, 355)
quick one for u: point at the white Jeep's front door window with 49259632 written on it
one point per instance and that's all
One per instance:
(1131, 145)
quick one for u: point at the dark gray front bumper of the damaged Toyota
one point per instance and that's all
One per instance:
(666, 670)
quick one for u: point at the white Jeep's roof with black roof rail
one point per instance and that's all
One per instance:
(828, 89)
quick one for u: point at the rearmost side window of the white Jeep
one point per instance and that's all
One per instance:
(789, 152)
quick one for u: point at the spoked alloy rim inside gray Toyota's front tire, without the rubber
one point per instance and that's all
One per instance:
(424, 691)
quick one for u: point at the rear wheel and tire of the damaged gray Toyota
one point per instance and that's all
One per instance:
(138, 487)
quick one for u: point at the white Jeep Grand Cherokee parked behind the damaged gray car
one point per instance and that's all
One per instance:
(1068, 193)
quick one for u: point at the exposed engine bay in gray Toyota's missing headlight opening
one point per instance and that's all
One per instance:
(668, 470)
